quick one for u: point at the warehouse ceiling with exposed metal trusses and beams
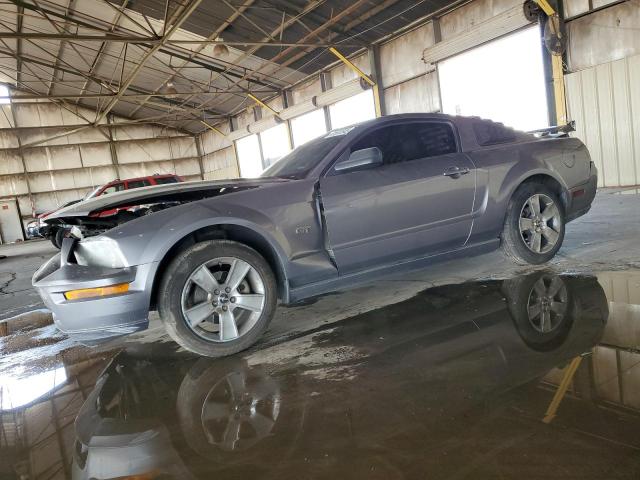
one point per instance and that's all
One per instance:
(184, 64)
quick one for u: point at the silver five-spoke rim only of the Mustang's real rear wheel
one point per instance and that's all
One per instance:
(540, 223)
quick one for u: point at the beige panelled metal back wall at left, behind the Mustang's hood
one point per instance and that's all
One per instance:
(43, 175)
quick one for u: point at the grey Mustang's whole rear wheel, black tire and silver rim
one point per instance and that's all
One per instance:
(522, 247)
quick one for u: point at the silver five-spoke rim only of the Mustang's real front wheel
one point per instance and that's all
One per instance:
(223, 299)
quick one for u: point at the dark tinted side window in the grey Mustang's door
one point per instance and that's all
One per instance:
(412, 141)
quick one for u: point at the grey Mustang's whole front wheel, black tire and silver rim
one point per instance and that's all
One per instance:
(225, 322)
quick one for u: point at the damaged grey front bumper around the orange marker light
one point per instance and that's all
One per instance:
(96, 318)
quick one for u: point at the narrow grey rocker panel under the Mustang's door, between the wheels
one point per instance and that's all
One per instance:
(358, 278)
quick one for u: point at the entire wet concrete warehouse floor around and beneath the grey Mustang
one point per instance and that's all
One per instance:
(426, 375)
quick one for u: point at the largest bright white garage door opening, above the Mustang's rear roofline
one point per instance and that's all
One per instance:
(503, 81)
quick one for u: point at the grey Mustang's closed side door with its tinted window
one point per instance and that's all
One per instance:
(418, 202)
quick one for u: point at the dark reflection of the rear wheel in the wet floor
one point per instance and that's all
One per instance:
(542, 307)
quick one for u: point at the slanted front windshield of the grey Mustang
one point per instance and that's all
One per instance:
(301, 160)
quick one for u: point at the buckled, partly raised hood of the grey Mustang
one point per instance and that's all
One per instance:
(175, 192)
